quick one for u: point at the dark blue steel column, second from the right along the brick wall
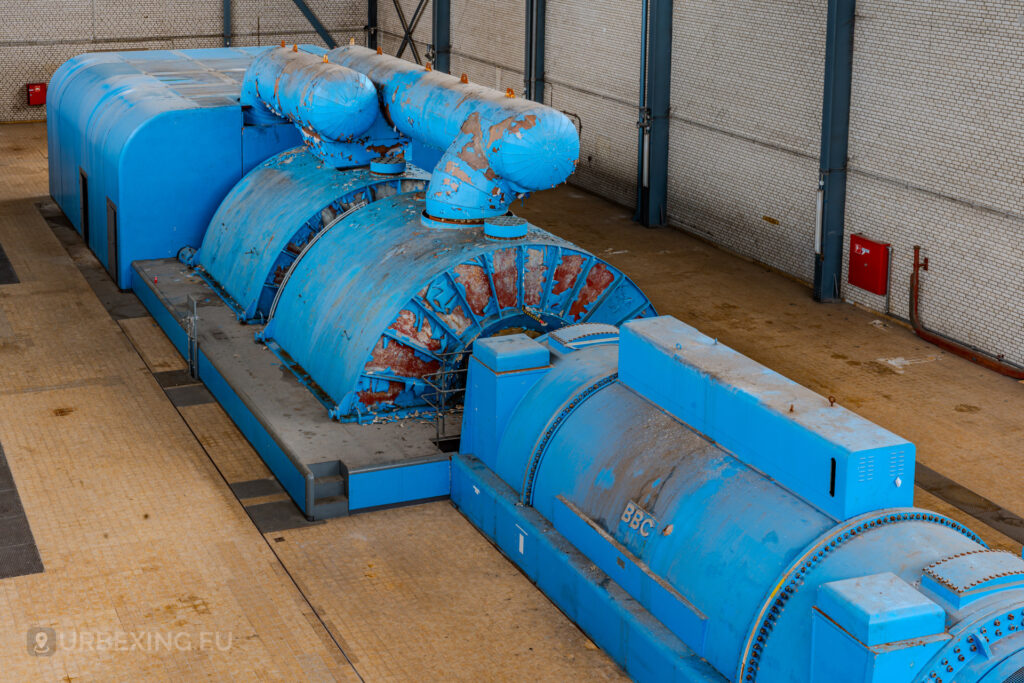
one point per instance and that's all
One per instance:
(656, 91)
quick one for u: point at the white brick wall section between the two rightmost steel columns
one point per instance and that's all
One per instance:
(746, 131)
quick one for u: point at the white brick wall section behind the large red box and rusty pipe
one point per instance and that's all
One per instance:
(937, 160)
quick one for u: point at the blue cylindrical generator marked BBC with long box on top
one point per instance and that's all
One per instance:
(727, 548)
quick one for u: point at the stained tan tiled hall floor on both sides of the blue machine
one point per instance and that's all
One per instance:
(132, 510)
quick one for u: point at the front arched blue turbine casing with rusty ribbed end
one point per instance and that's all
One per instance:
(382, 309)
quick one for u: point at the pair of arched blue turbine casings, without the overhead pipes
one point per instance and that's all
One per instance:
(373, 310)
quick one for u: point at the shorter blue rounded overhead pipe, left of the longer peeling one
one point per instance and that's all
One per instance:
(334, 108)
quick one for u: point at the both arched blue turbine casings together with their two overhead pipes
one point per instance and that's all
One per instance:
(368, 300)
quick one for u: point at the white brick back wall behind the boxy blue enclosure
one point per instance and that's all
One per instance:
(37, 36)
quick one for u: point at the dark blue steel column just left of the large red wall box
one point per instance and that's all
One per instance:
(835, 146)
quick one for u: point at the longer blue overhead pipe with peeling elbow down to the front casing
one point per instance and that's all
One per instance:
(496, 148)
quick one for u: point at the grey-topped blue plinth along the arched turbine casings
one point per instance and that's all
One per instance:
(329, 468)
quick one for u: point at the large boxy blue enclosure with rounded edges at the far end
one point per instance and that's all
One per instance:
(158, 138)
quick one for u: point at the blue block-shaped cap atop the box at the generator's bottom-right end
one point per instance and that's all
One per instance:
(881, 609)
